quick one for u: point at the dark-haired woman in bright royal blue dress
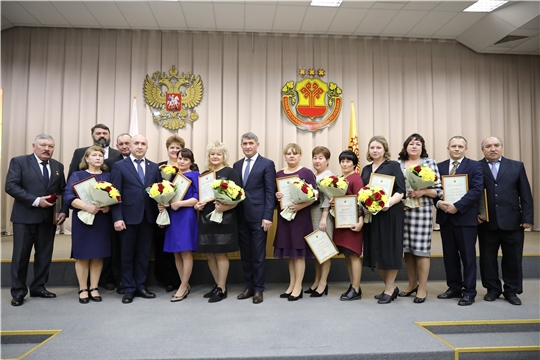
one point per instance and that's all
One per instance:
(181, 234)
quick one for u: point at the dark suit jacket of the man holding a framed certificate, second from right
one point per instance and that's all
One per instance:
(467, 206)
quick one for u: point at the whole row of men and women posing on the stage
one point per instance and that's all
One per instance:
(116, 246)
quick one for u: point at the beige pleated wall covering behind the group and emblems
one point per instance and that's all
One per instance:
(63, 81)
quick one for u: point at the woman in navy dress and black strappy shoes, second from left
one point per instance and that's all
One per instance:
(89, 243)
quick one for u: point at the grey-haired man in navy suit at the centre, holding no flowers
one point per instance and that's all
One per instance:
(256, 213)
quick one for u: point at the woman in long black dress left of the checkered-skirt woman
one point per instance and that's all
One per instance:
(383, 237)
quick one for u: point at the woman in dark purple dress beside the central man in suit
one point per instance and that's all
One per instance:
(289, 242)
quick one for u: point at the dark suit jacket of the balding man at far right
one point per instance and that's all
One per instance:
(509, 196)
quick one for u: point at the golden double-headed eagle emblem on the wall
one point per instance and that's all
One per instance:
(173, 98)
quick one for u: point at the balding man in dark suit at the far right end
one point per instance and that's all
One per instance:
(510, 212)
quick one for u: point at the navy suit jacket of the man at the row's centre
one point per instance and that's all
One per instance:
(260, 190)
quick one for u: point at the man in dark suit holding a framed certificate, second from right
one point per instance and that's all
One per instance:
(459, 224)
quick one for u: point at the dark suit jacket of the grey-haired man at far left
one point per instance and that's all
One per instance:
(24, 182)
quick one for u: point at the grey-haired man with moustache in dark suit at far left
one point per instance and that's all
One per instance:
(31, 180)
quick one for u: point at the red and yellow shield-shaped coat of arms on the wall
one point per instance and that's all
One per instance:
(307, 102)
